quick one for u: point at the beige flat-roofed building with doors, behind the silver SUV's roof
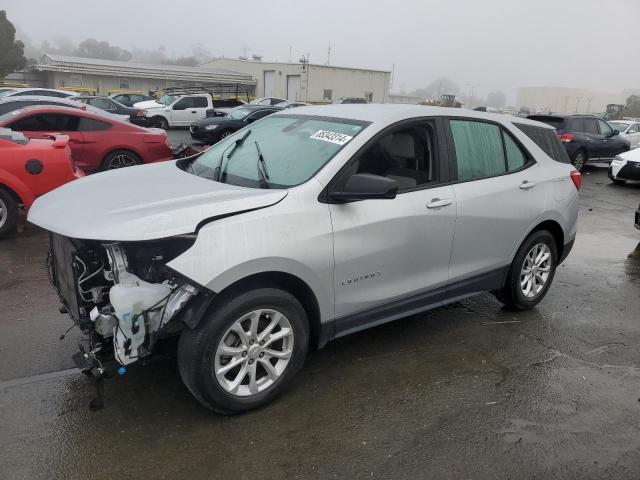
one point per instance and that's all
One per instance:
(308, 82)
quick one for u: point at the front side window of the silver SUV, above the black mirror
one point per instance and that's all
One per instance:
(406, 155)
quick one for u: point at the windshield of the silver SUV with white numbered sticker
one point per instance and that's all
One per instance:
(294, 147)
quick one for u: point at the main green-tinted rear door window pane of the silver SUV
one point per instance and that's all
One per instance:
(479, 149)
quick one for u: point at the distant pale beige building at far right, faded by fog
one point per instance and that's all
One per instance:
(566, 100)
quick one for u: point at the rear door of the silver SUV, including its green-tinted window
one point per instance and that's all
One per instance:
(499, 197)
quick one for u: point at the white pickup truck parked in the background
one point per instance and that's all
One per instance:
(176, 110)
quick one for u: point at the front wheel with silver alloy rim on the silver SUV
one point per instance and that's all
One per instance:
(245, 351)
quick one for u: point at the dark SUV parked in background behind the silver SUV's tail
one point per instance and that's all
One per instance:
(585, 137)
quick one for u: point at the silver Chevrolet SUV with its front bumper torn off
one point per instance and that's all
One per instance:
(308, 225)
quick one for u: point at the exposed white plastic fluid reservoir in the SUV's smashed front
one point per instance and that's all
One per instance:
(129, 299)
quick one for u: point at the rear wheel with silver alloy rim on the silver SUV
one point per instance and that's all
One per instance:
(531, 272)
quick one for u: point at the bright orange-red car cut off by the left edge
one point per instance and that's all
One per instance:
(28, 169)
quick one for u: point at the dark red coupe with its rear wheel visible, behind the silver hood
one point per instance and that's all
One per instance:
(97, 142)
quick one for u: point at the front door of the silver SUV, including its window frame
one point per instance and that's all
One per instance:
(390, 251)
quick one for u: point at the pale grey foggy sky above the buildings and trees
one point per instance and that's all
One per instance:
(496, 44)
